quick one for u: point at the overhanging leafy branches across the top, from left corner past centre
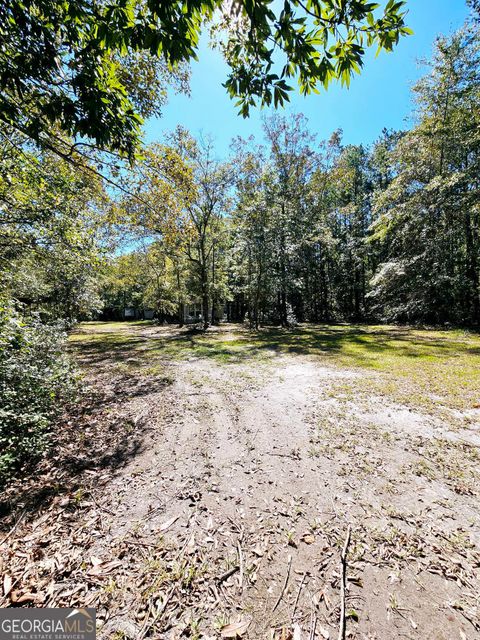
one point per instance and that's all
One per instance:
(66, 67)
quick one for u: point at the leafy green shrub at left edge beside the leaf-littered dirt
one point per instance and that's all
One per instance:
(35, 380)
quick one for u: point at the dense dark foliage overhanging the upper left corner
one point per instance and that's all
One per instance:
(67, 67)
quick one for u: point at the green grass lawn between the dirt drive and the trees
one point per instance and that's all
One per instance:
(416, 366)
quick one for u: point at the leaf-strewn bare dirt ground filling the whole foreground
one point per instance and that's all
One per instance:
(216, 502)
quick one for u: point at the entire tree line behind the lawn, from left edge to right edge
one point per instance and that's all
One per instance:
(290, 228)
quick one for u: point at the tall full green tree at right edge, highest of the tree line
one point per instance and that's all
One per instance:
(429, 213)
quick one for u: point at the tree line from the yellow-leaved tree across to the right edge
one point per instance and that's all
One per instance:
(295, 229)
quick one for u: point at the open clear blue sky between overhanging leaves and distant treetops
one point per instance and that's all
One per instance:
(379, 97)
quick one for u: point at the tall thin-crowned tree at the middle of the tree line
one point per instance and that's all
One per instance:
(279, 222)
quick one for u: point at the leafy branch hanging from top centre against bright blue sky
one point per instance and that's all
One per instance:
(320, 41)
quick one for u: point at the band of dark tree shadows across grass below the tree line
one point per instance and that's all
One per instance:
(363, 346)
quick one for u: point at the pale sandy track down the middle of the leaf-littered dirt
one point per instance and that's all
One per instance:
(232, 459)
